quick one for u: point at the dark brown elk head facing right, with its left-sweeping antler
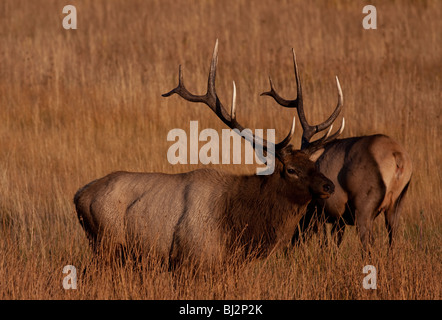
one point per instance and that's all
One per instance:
(295, 175)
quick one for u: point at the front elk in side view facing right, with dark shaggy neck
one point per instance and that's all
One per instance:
(204, 215)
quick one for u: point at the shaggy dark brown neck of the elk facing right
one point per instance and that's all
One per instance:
(260, 212)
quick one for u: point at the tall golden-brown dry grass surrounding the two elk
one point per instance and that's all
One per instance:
(78, 104)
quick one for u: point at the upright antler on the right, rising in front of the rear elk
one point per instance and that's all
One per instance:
(308, 130)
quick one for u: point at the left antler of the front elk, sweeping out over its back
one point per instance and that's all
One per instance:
(212, 101)
